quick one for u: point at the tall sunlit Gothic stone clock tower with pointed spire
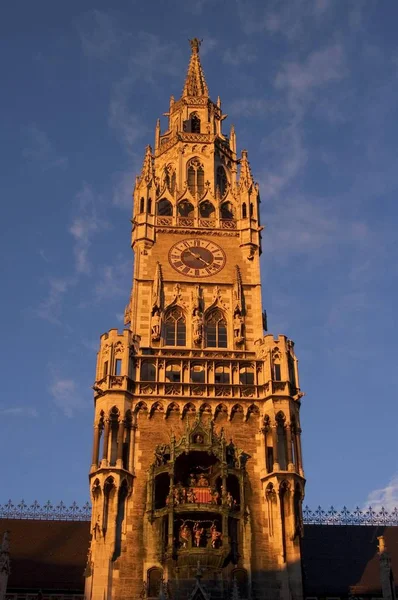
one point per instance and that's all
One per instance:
(196, 478)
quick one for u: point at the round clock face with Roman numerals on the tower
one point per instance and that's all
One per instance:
(197, 258)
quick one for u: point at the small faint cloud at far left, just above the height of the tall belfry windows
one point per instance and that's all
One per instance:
(39, 149)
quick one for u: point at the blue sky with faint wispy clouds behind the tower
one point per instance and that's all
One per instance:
(311, 87)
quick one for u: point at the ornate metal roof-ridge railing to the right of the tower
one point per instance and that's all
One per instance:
(350, 517)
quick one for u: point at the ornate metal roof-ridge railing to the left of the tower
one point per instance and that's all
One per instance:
(46, 512)
